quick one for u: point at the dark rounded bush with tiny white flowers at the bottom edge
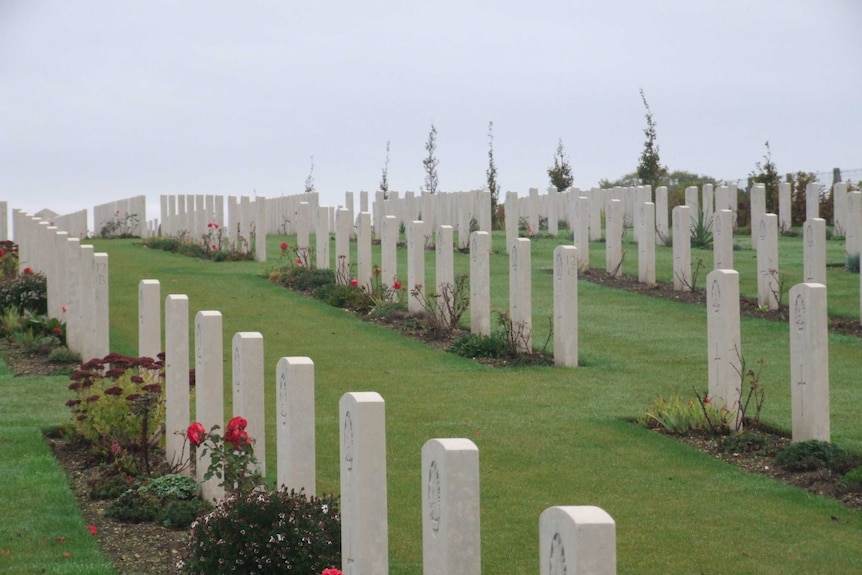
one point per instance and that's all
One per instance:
(266, 532)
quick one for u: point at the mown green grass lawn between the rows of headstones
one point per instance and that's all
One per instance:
(546, 436)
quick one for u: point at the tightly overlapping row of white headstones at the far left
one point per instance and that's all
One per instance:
(77, 281)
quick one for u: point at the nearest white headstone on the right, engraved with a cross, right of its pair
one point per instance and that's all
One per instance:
(809, 362)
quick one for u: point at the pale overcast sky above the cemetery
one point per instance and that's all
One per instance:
(106, 100)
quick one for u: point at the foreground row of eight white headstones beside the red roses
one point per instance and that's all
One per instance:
(576, 539)
